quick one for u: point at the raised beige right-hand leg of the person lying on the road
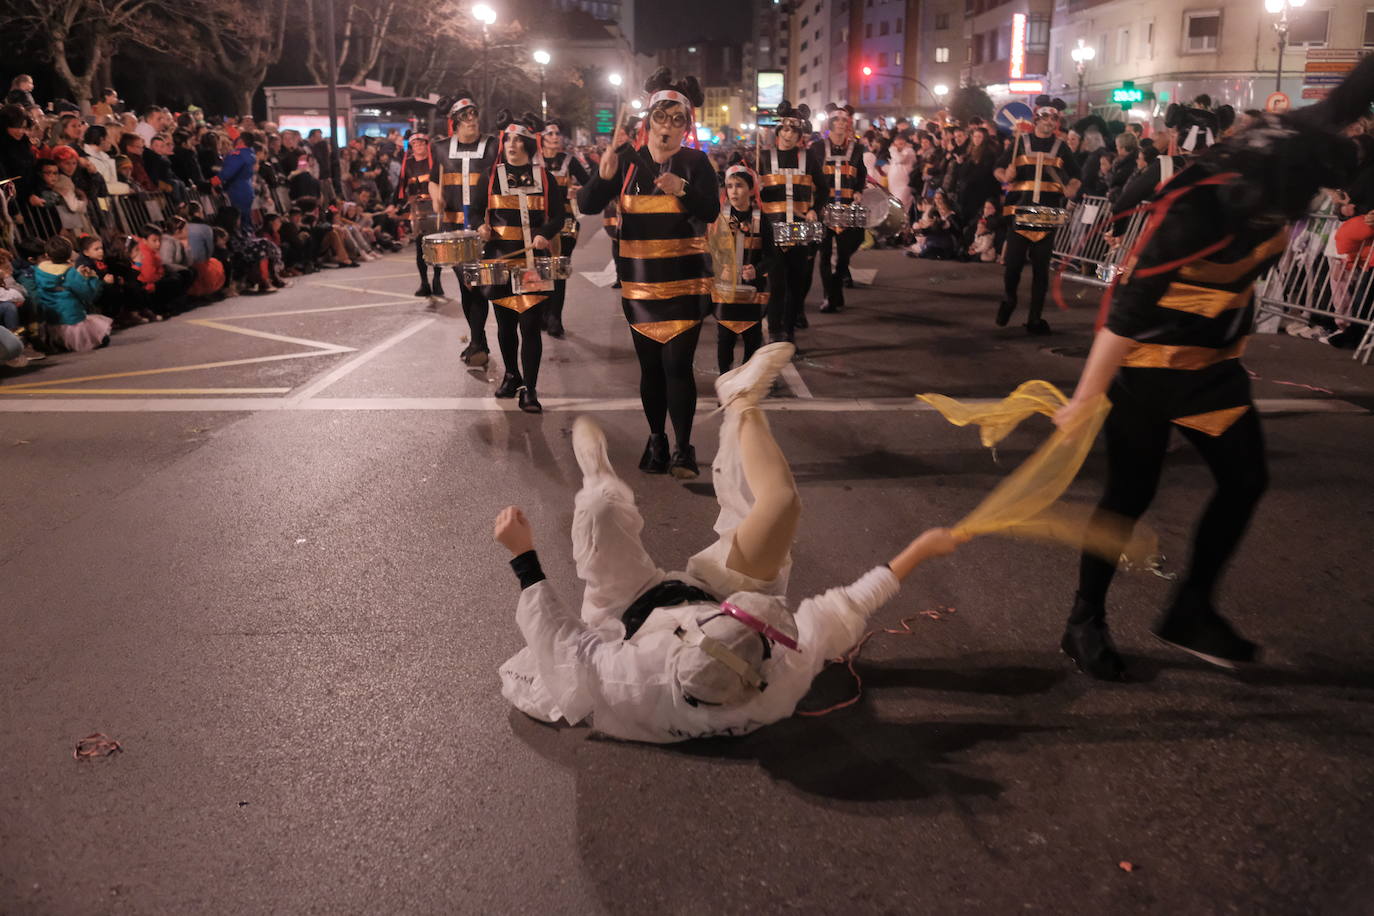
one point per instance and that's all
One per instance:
(765, 539)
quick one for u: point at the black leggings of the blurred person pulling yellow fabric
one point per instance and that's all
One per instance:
(1137, 440)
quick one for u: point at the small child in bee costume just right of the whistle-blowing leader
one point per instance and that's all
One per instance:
(740, 296)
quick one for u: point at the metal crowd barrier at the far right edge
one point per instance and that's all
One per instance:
(1313, 279)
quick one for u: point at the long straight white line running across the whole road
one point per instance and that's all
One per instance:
(490, 404)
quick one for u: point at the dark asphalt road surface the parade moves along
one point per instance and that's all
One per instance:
(271, 580)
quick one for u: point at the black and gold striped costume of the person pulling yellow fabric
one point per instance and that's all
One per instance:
(1188, 325)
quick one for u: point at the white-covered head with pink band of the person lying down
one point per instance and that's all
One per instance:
(725, 656)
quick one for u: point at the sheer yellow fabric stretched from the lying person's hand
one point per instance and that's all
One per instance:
(1026, 505)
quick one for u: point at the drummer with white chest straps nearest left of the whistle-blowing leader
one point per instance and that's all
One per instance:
(517, 215)
